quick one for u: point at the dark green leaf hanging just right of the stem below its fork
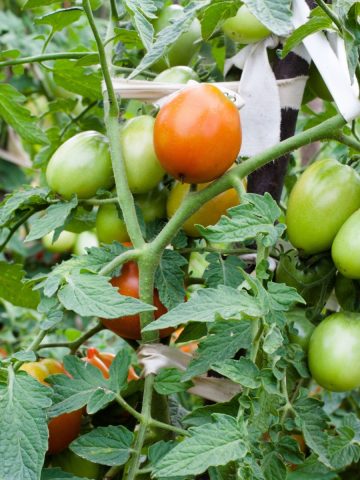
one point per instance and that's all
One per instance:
(169, 279)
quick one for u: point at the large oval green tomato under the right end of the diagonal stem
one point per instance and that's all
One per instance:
(325, 195)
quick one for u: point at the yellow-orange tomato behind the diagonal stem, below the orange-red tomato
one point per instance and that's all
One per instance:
(208, 214)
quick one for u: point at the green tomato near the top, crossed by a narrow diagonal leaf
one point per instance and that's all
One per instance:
(185, 47)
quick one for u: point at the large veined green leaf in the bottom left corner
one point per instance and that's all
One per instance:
(23, 427)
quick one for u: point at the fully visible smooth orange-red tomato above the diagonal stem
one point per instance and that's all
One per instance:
(191, 132)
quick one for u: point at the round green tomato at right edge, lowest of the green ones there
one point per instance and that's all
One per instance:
(334, 352)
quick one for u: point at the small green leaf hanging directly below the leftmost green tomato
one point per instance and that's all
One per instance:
(53, 217)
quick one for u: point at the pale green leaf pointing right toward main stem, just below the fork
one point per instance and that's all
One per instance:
(92, 295)
